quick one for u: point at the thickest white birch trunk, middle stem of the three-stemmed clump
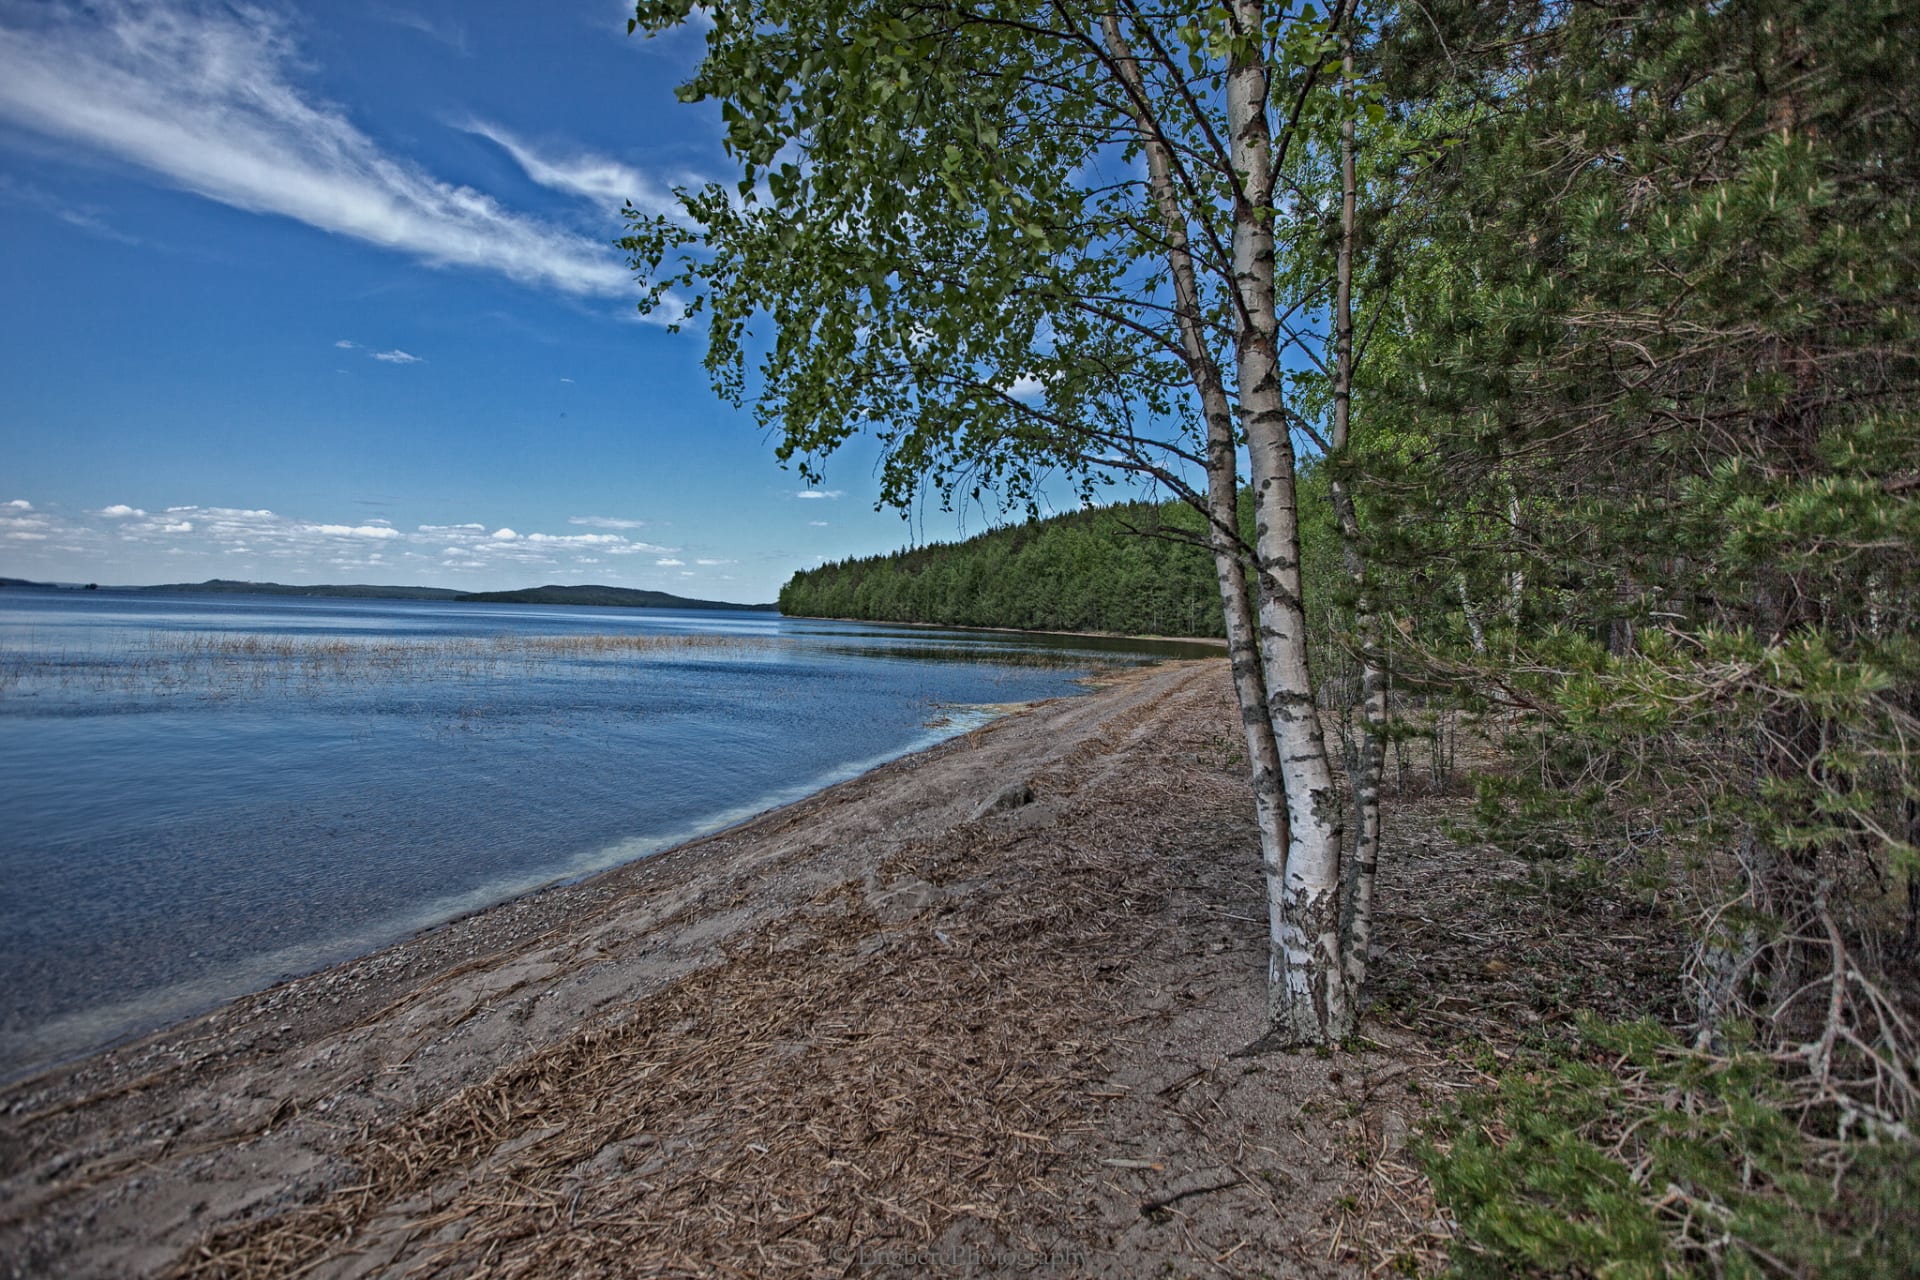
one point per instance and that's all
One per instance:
(1308, 995)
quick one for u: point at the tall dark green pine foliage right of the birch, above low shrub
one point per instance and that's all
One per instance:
(1648, 431)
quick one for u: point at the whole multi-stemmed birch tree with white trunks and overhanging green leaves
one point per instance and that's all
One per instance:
(1020, 245)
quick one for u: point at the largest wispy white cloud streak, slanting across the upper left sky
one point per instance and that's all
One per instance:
(208, 101)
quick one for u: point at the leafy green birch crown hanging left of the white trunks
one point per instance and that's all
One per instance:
(924, 245)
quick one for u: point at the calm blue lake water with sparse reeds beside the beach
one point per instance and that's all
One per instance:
(203, 795)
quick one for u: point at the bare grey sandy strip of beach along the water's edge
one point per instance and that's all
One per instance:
(302, 1014)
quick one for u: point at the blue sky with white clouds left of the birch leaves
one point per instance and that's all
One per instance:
(329, 295)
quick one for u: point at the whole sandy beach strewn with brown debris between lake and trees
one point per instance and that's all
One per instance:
(978, 1012)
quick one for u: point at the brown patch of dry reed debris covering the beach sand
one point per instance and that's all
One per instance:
(827, 1089)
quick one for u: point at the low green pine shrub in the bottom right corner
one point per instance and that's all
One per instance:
(1627, 1156)
